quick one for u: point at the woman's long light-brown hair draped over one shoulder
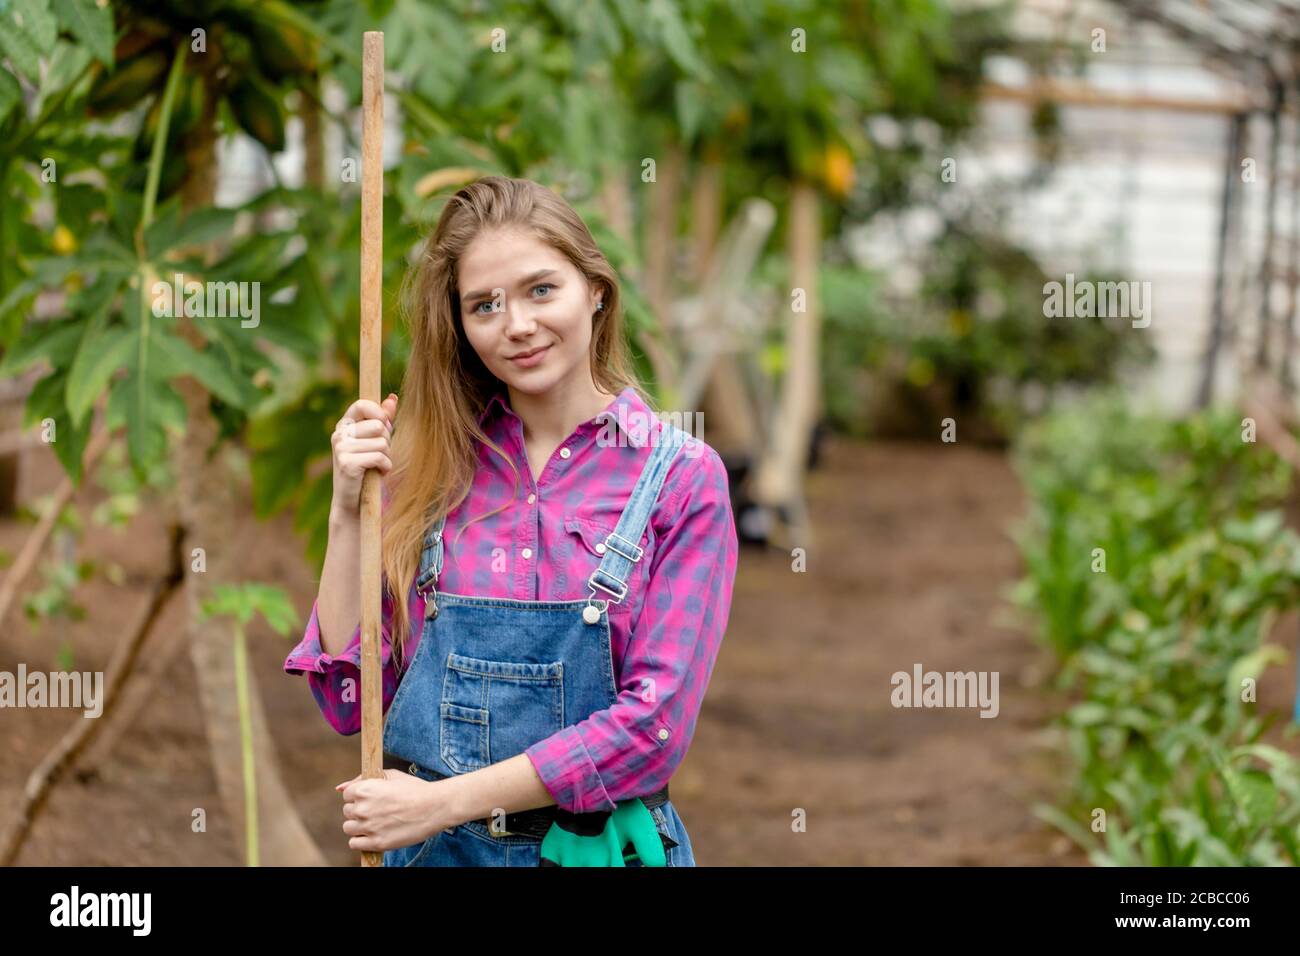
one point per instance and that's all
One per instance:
(447, 384)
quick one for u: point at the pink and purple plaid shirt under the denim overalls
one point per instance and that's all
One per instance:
(543, 547)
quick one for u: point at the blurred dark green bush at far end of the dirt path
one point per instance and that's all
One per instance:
(969, 341)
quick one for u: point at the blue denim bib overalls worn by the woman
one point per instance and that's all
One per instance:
(492, 677)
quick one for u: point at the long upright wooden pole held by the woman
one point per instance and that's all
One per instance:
(372, 328)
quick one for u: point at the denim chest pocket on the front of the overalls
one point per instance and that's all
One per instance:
(492, 711)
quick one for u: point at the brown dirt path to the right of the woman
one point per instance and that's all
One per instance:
(909, 566)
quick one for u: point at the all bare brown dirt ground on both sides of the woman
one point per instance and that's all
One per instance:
(908, 568)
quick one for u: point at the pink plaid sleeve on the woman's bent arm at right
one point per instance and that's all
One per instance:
(636, 745)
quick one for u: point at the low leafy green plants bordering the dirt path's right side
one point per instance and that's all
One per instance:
(1156, 566)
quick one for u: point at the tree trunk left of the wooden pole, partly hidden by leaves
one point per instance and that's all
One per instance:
(206, 503)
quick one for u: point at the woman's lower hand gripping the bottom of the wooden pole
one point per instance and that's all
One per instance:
(395, 811)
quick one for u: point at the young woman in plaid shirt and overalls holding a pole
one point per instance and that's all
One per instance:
(569, 557)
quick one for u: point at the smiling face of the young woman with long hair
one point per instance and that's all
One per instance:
(526, 310)
